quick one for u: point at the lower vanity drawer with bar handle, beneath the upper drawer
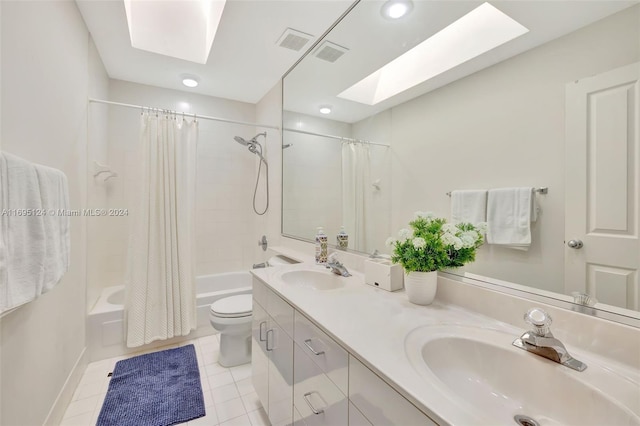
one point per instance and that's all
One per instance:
(316, 398)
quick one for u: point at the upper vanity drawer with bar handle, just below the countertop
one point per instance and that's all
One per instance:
(332, 359)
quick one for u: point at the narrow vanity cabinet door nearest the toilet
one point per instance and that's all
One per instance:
(259, 357)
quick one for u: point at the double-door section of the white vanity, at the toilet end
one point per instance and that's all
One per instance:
(272, 354)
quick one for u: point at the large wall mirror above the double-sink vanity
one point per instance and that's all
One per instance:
(500, 94)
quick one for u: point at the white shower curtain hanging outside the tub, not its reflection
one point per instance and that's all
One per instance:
(160, 300)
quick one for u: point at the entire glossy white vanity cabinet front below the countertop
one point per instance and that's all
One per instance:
(304, 377)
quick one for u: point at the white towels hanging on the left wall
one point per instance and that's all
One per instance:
(34, 237)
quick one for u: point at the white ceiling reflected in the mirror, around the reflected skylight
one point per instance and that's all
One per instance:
(374, 41)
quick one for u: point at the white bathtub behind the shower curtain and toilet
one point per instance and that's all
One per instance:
(105, 325)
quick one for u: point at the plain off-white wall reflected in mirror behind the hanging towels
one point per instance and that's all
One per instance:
(500, 127)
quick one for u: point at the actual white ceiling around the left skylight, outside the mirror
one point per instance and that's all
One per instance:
(244, 63)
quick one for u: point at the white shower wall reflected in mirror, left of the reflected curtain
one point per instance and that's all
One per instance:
(312, 176)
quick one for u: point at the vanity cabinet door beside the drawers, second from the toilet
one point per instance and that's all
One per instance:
(280, 349)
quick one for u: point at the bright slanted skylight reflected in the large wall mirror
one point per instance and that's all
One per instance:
(477, 32)
